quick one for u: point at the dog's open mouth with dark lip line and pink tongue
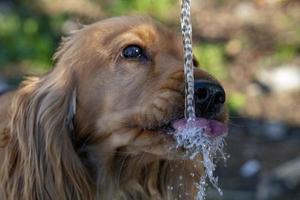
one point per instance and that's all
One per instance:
(211, 128)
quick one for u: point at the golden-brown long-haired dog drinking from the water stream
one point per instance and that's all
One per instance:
(96, 126)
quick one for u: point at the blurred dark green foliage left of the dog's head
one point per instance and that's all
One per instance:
(29, 37)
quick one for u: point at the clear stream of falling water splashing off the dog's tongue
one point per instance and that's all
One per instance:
(192, 137)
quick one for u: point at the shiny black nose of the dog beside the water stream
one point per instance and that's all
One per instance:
(209, 98)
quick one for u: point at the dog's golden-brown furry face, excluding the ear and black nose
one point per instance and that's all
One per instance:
(130, 84)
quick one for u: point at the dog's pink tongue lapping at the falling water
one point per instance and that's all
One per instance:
(212, 128)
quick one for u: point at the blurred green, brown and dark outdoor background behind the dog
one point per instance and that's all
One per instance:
(253, 46)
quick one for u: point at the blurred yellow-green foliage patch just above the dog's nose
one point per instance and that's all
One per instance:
(212, 58)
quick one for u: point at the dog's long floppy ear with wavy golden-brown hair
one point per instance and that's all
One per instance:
(40, 160)
